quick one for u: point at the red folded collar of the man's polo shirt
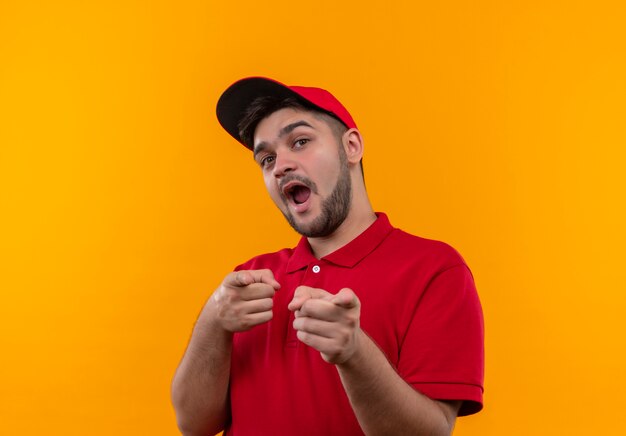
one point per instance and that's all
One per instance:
(348, 255)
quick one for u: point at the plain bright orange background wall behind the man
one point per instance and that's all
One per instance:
(498, 127)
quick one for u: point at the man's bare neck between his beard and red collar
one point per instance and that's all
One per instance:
(353, 226)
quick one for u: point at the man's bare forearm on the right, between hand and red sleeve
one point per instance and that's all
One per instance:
(384, 403)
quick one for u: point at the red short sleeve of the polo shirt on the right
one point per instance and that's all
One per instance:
(442, 354)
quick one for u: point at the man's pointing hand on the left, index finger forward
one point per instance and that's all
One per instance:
(244, 299)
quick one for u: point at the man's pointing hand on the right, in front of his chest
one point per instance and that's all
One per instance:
(329, 323)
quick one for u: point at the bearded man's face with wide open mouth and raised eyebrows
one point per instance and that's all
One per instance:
(305, 170)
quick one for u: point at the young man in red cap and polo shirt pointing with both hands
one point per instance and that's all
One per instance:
(361, 328)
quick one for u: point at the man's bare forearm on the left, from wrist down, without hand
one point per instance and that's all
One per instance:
(200, 385)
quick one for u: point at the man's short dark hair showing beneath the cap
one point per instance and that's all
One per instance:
(263, 107)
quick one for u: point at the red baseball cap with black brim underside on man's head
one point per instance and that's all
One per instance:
(232, 105)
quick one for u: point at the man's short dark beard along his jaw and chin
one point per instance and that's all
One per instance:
(335, 207)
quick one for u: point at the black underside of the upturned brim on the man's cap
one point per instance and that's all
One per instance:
(232, 105)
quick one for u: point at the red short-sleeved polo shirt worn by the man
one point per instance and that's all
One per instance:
(418, 303)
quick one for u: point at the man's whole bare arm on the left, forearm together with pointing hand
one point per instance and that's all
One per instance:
(200, 386)
